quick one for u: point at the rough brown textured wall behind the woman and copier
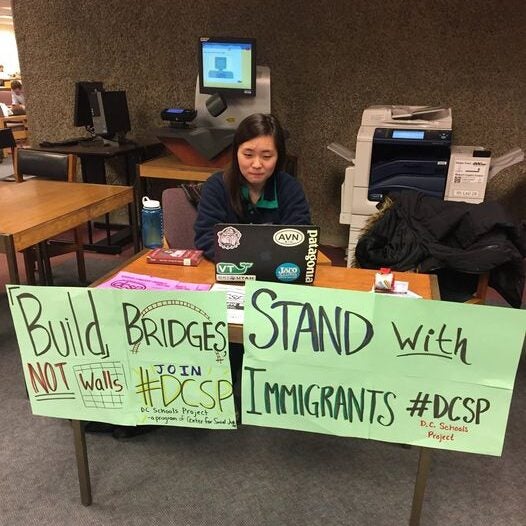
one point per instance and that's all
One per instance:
(329, 60)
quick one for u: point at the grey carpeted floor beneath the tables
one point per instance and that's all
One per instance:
(249, 477)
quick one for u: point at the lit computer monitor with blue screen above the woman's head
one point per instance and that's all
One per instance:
(227, 66)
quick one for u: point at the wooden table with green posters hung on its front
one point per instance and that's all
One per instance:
(425, 285)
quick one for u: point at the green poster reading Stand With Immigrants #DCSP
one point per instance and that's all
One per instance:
(357, 364)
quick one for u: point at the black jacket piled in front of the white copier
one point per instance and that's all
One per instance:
(425, 233)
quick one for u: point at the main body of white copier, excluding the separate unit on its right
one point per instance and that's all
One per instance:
(398, 147)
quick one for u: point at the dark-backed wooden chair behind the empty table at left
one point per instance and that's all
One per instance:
(56, 167)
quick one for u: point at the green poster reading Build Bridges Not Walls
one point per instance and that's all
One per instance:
(125, 357)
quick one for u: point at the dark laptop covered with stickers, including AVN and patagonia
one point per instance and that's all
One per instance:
(281, 253)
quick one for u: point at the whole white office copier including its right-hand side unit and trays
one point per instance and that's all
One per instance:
(409, 147)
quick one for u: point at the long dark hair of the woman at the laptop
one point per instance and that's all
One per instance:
(255, 125)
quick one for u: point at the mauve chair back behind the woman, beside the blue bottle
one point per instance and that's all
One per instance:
(178, 218)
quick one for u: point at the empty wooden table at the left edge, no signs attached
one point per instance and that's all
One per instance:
(36, 210)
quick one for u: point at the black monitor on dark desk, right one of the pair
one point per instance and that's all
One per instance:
(109, 110)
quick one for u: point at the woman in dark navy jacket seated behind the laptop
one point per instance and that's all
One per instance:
(254, 188)
